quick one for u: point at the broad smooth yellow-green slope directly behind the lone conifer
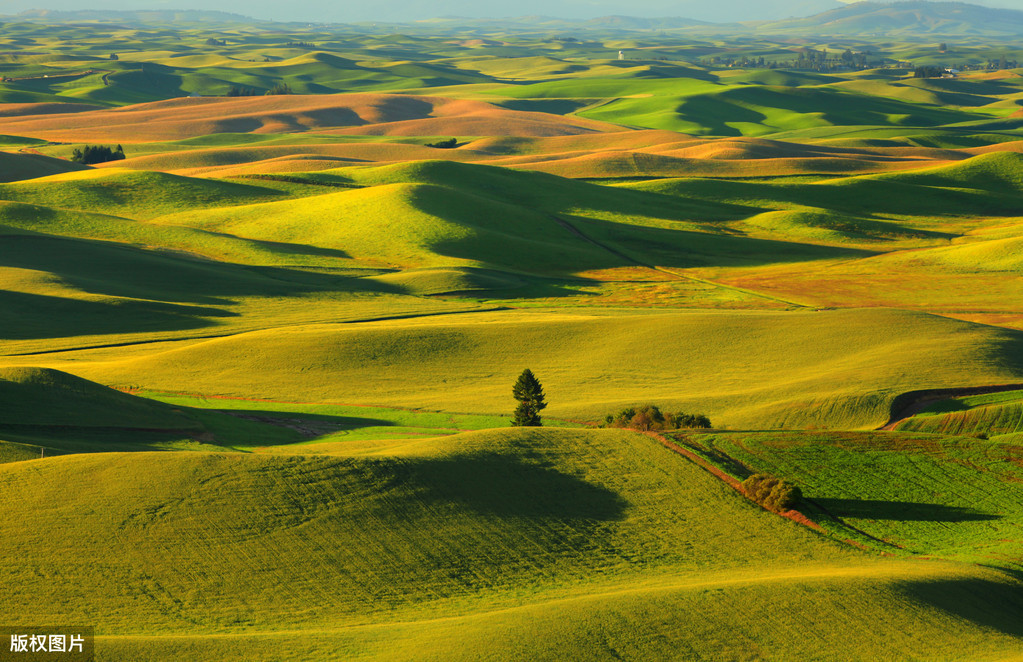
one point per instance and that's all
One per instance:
(748, 370)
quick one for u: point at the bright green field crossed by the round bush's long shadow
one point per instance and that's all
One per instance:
(939, 496)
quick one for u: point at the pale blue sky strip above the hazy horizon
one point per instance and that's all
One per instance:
(405, 11)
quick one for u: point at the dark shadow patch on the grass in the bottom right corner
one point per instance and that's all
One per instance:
(996, 605)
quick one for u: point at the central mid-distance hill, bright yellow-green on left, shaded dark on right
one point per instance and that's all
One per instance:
(439, 228)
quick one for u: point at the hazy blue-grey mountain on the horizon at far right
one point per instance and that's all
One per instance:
(904, 19)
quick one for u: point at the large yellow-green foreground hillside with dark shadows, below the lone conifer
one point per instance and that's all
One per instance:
(443, 548)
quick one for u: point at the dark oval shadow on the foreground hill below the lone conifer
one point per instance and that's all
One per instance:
(508, 487)
